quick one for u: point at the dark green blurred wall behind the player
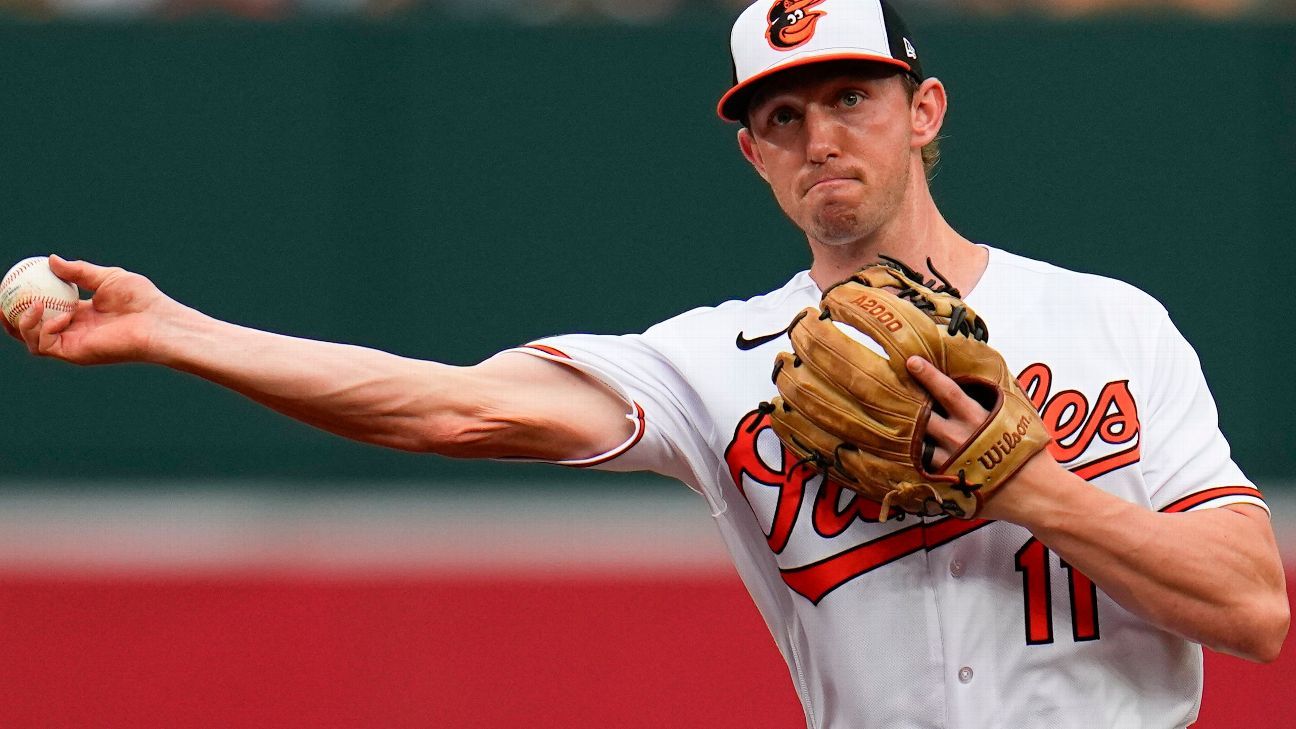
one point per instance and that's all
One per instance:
(446, 191)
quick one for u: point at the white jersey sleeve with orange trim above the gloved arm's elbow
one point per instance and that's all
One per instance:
(1186, 460)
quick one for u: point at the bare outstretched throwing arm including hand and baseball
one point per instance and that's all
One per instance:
(511, 405)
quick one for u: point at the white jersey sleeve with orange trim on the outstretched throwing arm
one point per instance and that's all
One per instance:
(660, 403)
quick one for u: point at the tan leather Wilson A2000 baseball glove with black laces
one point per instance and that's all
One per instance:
(859, 417)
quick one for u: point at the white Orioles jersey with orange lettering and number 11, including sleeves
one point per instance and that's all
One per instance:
(939, 623)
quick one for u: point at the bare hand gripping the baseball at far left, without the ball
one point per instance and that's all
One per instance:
(117, 325)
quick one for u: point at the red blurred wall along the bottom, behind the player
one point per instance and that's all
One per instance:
(496, 652)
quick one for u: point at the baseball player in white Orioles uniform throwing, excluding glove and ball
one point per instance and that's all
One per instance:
(1079, 597)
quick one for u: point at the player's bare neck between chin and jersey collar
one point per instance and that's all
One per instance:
(914, 235)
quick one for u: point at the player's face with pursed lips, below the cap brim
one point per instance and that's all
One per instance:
(838, 149)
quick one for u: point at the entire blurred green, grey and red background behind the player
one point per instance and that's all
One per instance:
(449, 180)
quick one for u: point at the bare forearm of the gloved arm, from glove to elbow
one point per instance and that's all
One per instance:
(1211, 577)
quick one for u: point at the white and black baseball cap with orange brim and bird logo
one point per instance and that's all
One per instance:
(777, 36)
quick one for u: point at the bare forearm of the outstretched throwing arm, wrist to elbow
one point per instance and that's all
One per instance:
(354, 392)
